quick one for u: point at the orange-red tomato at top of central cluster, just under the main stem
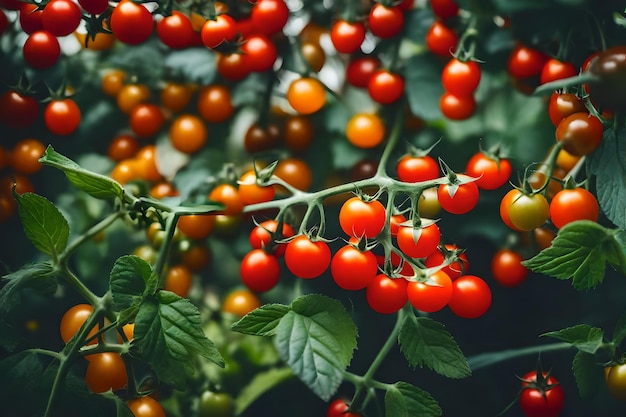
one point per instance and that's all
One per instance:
(360, 218)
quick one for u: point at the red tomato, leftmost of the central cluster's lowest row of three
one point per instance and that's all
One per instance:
(386, 295)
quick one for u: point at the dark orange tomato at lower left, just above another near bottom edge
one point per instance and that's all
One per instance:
(106, 371)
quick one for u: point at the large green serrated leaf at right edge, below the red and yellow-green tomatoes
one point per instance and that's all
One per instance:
(579, 252)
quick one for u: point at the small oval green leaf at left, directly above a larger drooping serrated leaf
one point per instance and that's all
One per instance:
(127, 281)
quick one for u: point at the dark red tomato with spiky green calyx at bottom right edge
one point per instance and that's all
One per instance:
(541, 403)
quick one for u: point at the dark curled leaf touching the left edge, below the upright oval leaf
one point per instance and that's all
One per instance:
(40, 276)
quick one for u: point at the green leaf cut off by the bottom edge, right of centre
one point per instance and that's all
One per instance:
(405, 400)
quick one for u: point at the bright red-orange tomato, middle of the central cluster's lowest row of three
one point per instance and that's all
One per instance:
(430, 296)
